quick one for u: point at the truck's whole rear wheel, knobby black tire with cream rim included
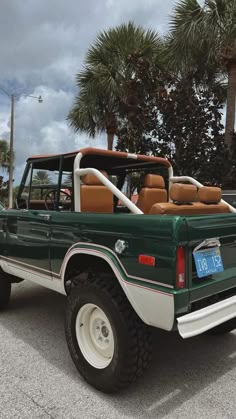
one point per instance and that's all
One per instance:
(109, 344)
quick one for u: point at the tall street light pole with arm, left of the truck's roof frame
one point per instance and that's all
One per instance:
(12, 98)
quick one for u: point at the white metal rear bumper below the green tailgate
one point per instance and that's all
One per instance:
(206, 318)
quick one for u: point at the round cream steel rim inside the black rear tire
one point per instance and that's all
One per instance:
(94, 336)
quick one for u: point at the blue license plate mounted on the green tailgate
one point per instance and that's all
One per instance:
(208, 261)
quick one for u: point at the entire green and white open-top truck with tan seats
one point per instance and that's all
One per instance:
(166, 261)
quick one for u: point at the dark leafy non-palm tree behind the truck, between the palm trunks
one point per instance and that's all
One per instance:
(183, 124)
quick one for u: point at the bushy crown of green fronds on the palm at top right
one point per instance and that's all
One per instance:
(199, 35)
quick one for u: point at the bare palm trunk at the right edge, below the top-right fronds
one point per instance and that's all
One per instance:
(230, 109)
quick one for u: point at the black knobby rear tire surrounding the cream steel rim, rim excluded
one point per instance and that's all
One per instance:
(132, 349)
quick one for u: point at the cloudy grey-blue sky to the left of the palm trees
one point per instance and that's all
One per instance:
(42, 46)
